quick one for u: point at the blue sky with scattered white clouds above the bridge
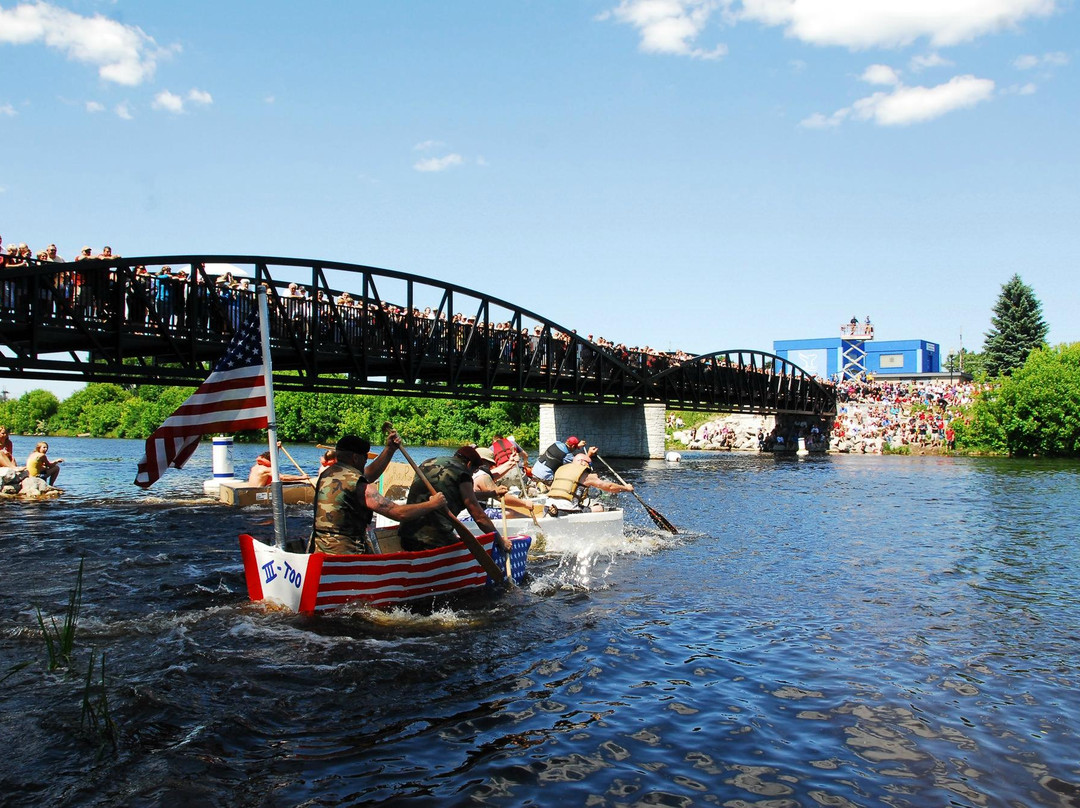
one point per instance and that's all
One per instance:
(683, 174)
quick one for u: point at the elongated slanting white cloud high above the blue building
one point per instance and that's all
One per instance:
(908, 105)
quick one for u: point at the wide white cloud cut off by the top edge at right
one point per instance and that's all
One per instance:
(860, 24)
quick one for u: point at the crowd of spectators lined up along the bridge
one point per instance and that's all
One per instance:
(167, 300)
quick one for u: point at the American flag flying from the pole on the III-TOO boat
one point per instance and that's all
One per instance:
(234, 398)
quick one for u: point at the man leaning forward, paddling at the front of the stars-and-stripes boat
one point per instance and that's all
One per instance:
(452, 478)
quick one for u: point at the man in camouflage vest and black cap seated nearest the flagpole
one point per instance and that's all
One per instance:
(345, 502)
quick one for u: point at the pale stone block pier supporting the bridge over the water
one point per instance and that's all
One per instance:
(619, 430)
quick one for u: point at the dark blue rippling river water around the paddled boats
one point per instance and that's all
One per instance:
(836, 631)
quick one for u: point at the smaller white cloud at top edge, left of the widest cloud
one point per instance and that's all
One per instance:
(670, 26)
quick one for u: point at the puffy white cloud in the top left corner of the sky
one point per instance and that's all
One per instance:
(124, 55)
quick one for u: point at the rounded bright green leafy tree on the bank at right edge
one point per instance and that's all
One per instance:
(1036, 412)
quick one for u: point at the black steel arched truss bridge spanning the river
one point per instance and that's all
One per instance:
(125, 321)
